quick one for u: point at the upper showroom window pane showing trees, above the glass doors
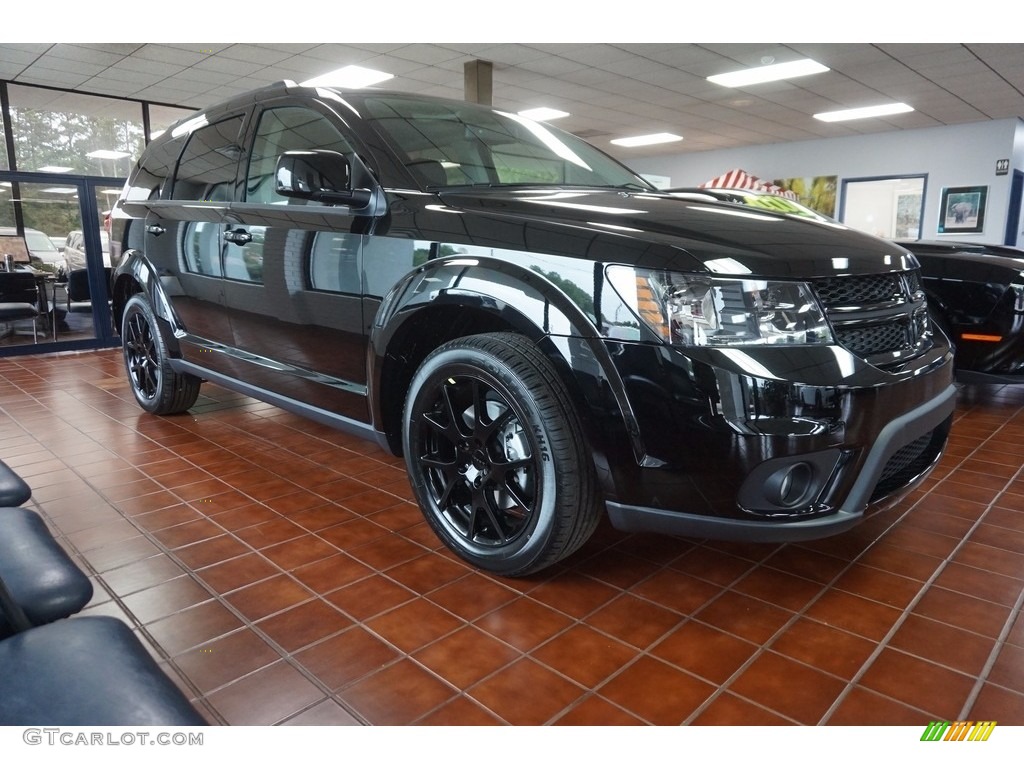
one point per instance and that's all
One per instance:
(66, 133)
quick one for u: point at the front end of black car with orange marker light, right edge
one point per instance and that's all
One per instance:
(976, 293)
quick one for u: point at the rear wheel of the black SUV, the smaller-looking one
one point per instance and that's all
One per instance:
(158, 389)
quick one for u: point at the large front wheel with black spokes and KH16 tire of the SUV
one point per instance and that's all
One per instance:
(496, 455)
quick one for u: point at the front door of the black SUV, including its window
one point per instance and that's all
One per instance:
(291, 276)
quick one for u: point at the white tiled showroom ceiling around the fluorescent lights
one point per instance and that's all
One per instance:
(611, 90)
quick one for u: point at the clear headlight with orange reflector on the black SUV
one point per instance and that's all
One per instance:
(699, 311)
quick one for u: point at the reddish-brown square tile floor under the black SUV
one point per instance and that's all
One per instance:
(281, 575)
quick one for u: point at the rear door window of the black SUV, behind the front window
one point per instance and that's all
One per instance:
(209, 162)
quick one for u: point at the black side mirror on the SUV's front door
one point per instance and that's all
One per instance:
(320, 176)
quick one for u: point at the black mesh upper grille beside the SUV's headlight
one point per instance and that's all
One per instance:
(880, 318)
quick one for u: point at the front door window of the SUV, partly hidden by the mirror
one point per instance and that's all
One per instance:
(284, 130)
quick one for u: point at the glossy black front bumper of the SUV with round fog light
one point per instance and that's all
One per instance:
(735, 449)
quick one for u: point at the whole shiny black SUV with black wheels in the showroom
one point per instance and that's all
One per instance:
(540, 332)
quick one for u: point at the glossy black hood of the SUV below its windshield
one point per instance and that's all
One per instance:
(663, 232)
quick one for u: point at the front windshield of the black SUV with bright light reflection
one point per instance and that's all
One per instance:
(449, 144)
